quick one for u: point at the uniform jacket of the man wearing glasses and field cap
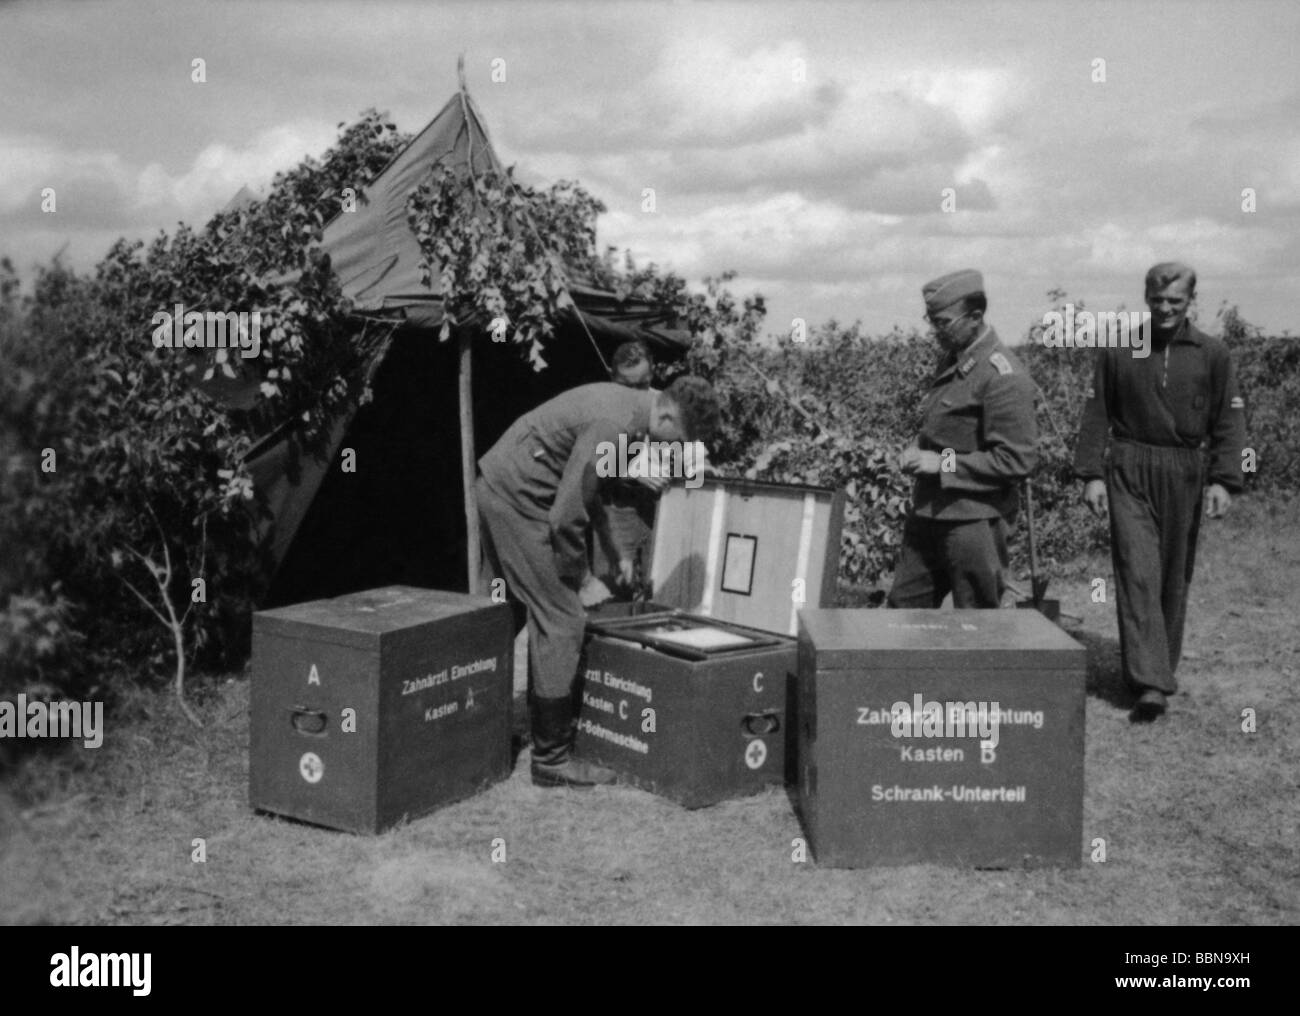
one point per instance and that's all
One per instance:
(981, 406)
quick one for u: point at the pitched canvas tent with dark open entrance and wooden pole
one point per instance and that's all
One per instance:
(405, 515)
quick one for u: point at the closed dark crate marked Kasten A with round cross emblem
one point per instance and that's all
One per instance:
(379, 706)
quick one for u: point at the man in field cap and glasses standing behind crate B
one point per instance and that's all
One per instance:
(978, 441)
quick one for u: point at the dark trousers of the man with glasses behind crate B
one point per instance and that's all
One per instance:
(965, 558)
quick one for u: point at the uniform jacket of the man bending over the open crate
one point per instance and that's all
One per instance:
(544, 466)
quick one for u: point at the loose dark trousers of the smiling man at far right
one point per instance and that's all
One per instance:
(1155, 501)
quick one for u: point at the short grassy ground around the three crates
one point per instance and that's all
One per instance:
(1202, 819)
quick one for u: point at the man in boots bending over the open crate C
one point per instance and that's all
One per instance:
(536, 490)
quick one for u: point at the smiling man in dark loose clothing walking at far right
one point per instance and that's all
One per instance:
(1159, 413)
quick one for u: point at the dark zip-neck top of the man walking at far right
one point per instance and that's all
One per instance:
(1182, 396)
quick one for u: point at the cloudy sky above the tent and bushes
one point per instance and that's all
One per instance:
(807, 146)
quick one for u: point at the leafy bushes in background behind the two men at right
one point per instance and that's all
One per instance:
(838, 410)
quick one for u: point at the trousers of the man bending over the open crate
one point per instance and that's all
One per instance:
(519, 552)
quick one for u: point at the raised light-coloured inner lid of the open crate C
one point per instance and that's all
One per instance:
(734, 550)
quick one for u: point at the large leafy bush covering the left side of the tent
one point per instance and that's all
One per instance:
(125, 463)
